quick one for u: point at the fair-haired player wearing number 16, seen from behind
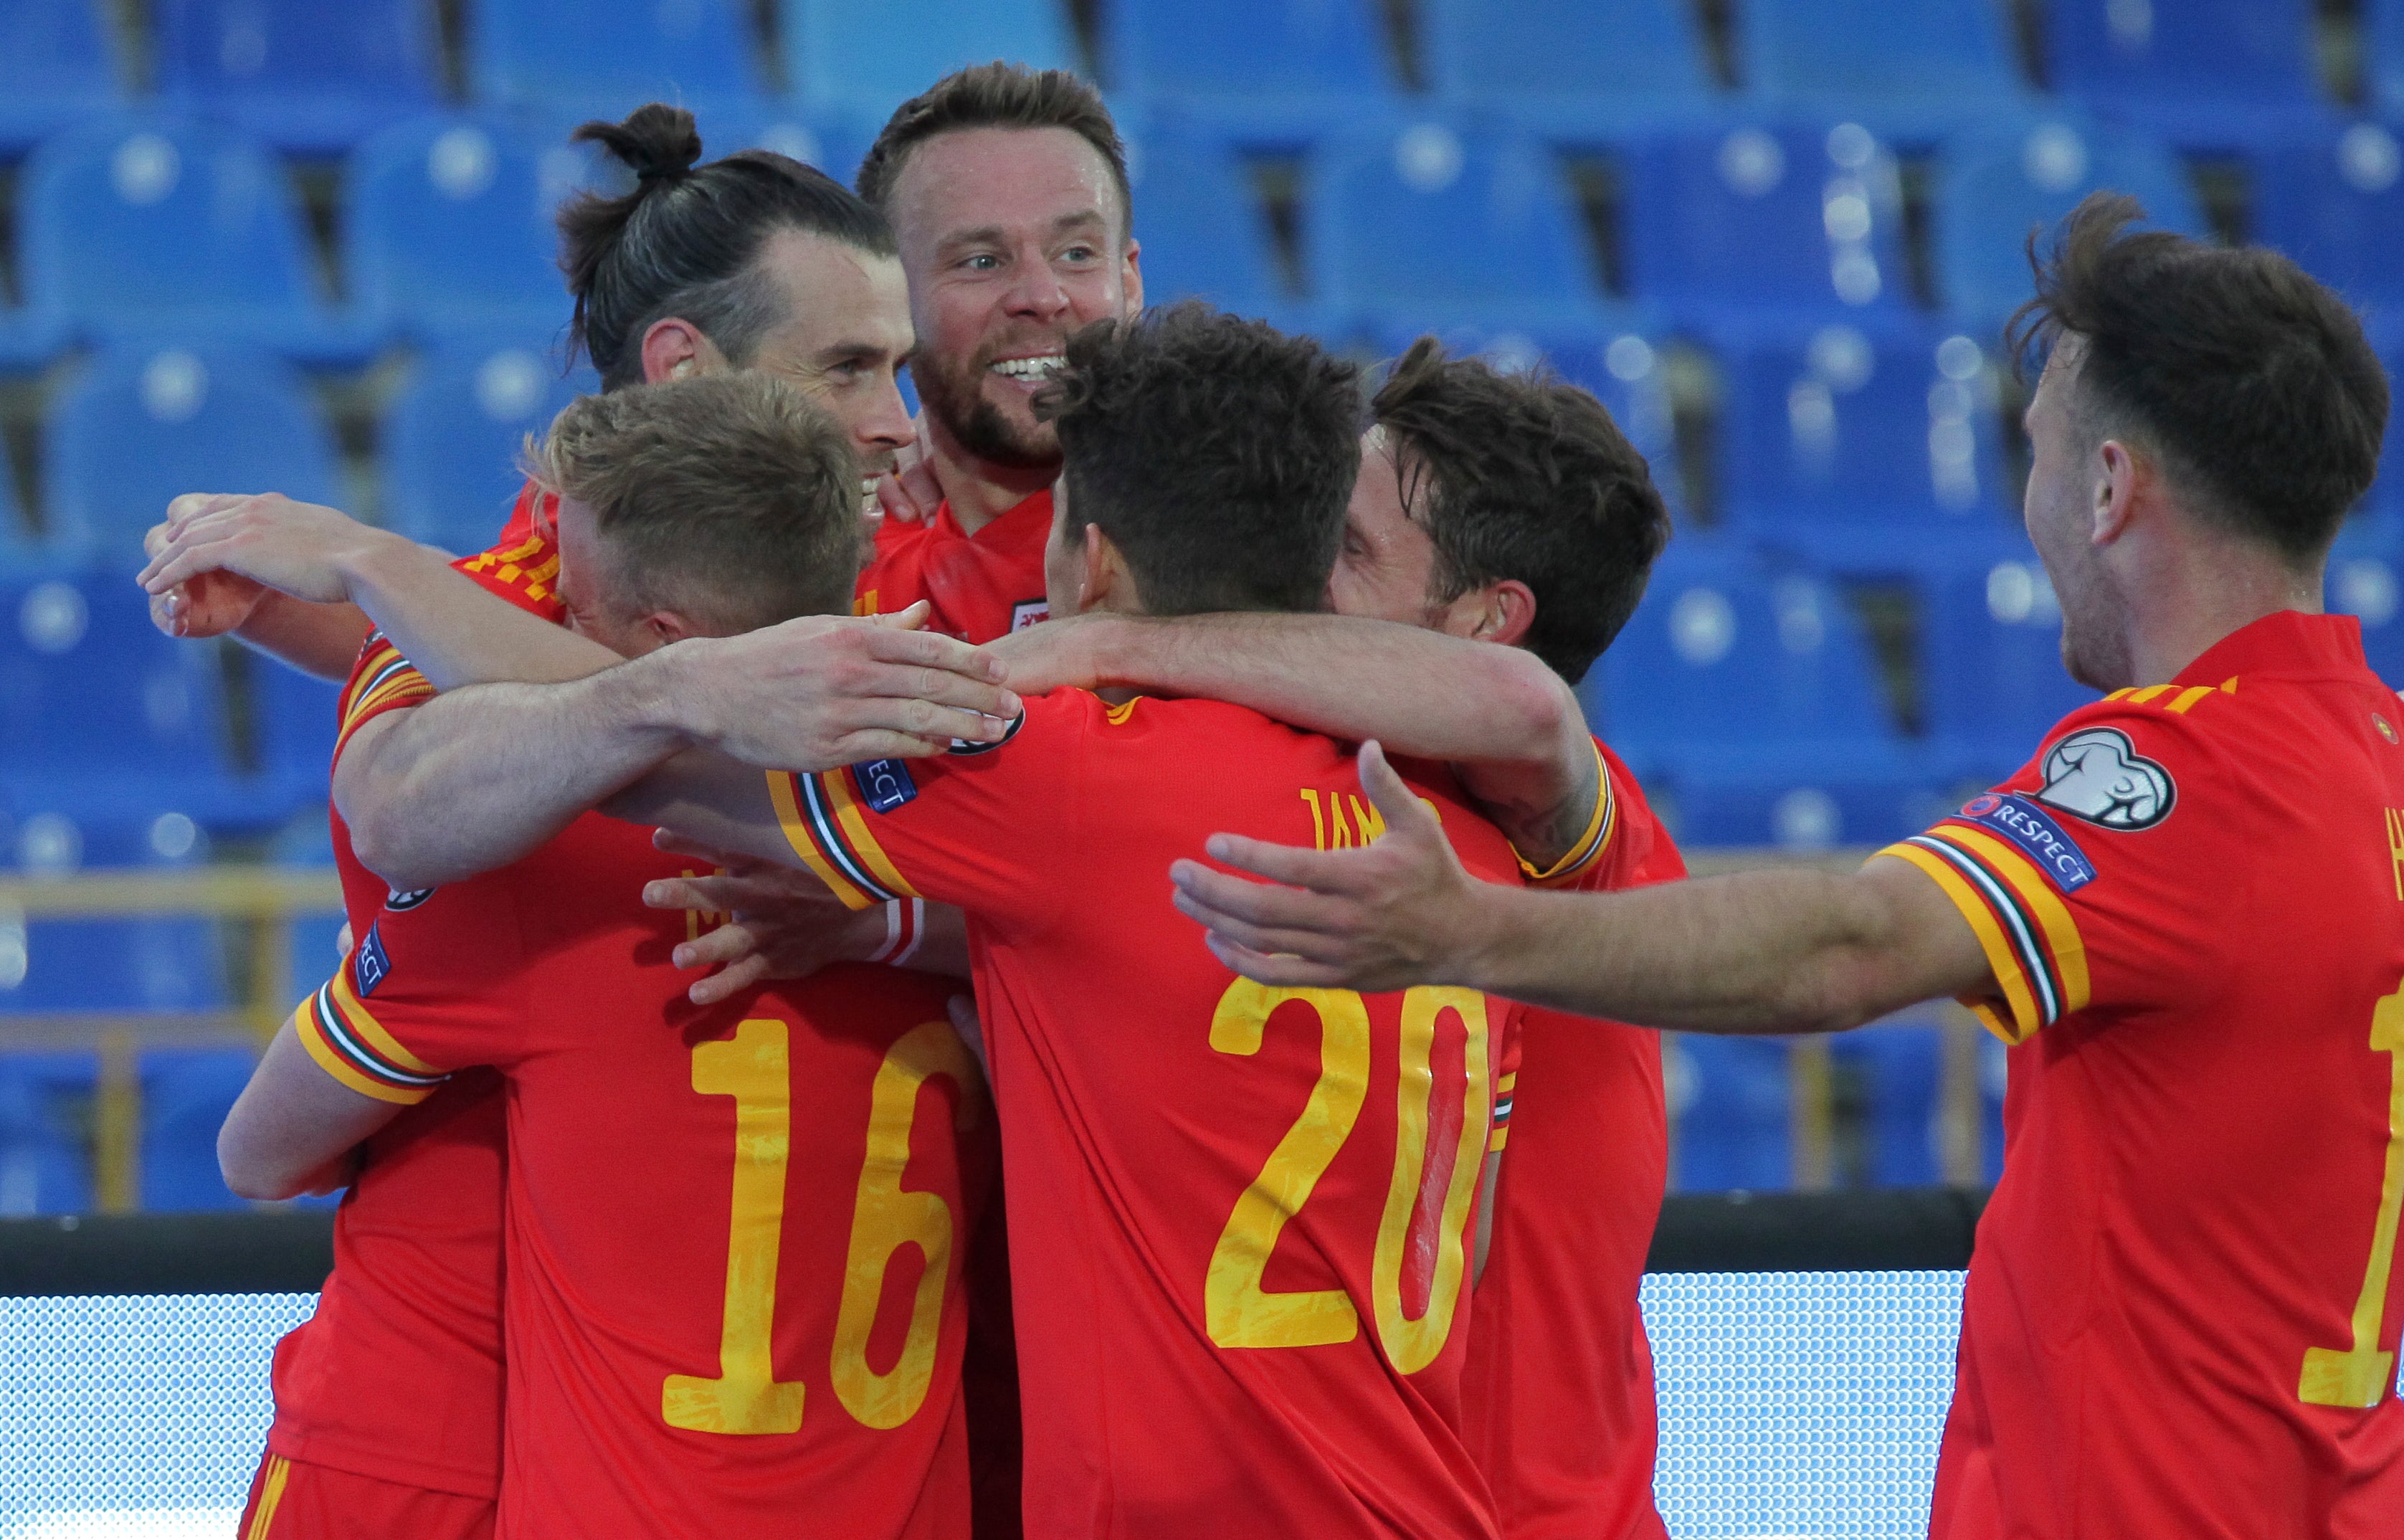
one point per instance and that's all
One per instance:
(732, 1234)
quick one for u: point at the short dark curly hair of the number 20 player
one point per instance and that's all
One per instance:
(1215, 453)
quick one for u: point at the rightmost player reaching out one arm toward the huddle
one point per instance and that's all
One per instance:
(2186, 914)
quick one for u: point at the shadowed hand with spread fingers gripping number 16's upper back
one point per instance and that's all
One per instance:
(780, 924)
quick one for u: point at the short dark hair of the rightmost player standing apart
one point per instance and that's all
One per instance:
(2249, 381)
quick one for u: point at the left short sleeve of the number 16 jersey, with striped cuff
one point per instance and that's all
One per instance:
(427, 991)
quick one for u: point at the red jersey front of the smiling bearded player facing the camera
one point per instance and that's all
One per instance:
(980, 587)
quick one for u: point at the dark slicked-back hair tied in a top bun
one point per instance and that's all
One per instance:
(686, 239)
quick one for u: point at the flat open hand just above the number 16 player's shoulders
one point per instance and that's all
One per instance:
(828, 691)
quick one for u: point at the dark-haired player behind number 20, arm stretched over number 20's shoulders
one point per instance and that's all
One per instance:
(1496, 508)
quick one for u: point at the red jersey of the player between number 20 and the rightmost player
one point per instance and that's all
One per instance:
(1561, 1390)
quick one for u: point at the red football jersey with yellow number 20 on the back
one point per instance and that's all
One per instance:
(1239, 1217)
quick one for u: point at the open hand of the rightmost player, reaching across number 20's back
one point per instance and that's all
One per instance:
(1384, 917)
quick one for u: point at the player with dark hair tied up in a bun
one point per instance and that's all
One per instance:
(388, 1402)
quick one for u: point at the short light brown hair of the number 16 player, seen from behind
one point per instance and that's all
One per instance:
(730, 499)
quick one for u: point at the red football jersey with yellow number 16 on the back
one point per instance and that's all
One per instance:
(734, 1234)
